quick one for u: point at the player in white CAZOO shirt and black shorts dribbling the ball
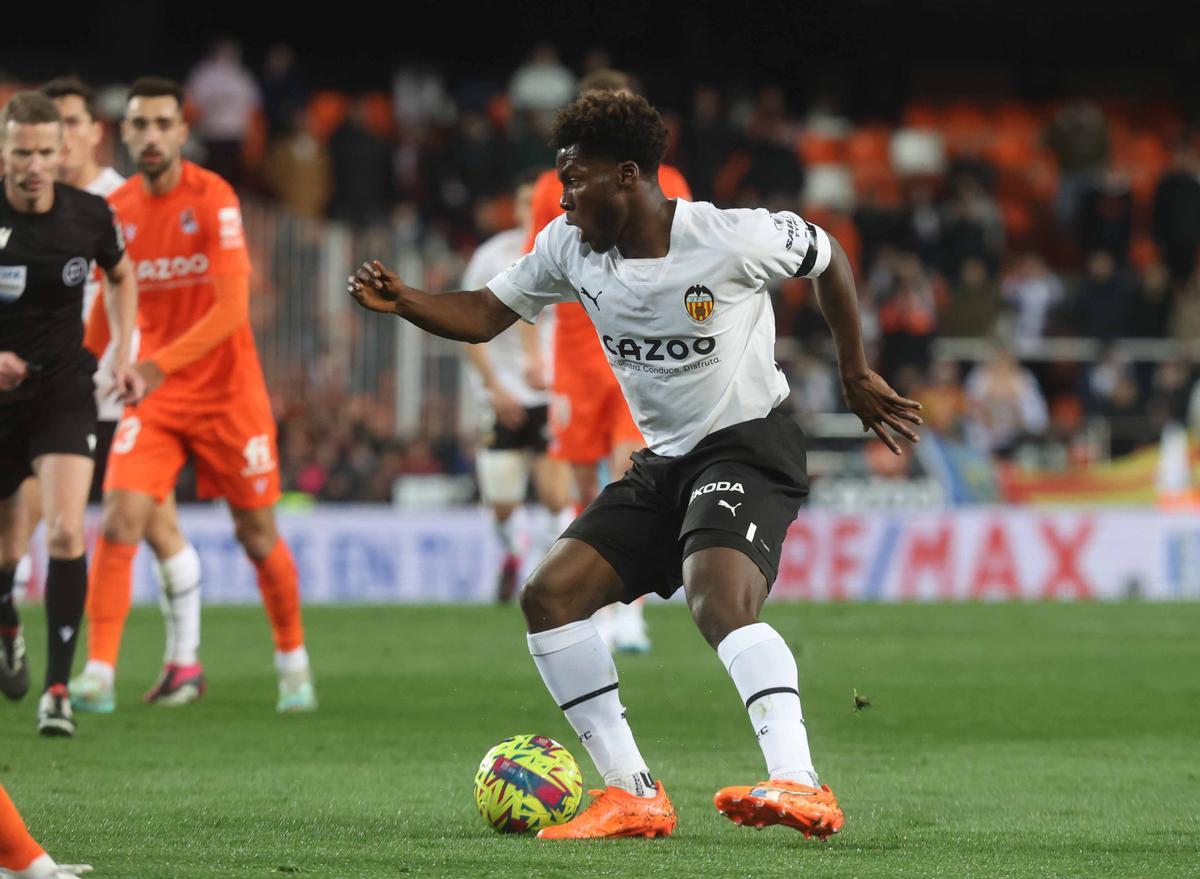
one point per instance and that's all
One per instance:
(688, 325)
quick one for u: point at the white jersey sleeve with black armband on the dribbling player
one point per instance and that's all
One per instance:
(781, 246)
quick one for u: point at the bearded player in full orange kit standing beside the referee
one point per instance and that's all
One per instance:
(183, 225)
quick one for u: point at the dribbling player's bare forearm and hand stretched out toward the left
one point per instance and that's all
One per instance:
(466, 316)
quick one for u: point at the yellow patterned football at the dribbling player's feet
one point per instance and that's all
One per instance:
(527, 784)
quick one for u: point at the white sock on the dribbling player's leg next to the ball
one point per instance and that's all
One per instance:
(581, 677)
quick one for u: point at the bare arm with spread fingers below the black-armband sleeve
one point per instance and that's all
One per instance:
(867, 394)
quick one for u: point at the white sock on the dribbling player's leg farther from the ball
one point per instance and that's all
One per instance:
(764, 671)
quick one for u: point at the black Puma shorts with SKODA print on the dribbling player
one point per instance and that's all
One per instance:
(740, 488)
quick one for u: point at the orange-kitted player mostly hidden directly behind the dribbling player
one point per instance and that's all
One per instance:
(590, 420)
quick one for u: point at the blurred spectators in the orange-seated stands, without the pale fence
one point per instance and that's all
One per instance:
(1009, 223)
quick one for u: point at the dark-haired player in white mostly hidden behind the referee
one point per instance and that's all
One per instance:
(178, 564)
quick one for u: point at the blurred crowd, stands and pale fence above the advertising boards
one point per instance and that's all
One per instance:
(1027, 258)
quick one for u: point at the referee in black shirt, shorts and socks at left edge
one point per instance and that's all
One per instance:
(50, 236)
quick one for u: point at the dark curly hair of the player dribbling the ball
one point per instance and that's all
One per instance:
(613, 125)
